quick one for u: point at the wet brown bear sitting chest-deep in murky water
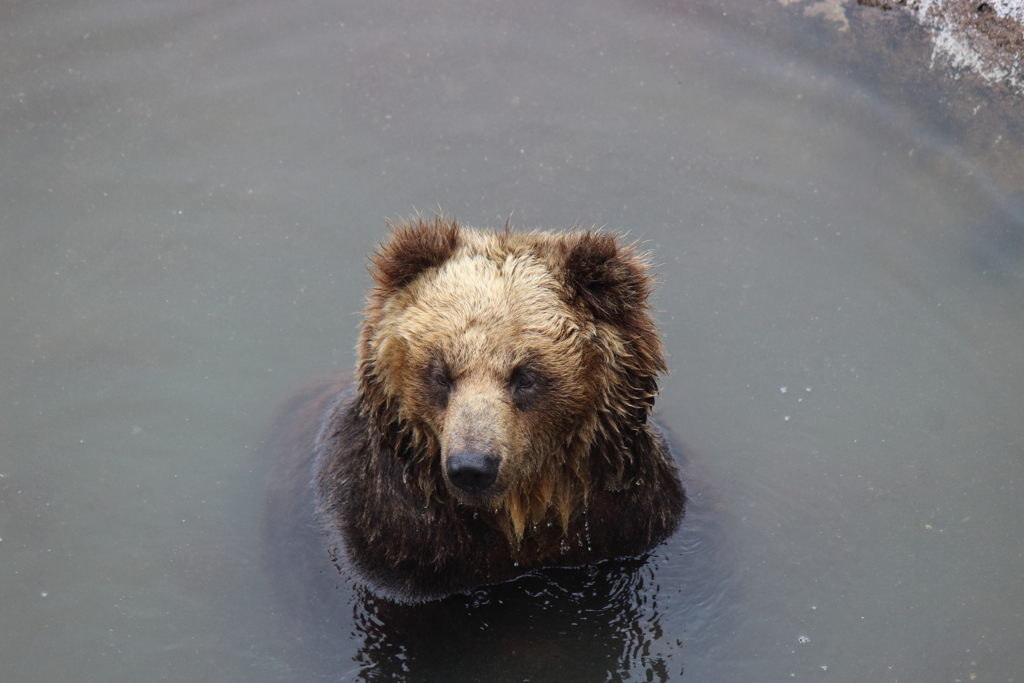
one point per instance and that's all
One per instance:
(499, 421)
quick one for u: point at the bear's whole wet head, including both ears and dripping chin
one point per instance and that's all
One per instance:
(511, 372)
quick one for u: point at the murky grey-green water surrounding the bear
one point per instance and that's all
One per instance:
(188, 194)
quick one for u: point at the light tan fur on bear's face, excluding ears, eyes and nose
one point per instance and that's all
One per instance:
(495, 305)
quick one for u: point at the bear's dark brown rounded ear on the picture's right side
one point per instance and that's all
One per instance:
(614, 280)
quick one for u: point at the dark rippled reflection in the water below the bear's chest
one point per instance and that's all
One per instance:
(572, 625)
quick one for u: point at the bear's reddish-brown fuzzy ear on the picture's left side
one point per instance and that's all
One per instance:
(413, 247)
